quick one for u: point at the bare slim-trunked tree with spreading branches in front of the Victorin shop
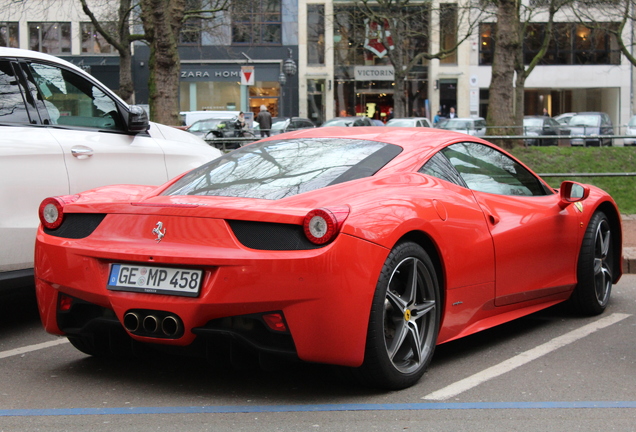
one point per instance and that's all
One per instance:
(404, 30)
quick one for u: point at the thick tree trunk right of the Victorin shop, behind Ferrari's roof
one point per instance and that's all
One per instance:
(501, 111)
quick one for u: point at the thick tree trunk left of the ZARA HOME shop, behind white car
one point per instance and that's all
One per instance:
(162, 20)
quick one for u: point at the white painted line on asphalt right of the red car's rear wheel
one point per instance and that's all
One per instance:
(523, 358)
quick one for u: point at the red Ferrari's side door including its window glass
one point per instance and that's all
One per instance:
(535, 240)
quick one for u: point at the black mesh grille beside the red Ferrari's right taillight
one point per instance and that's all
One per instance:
(271, 236)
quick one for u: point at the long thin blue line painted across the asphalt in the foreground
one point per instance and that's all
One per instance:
(235, 409)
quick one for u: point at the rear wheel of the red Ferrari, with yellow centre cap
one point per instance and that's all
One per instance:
(404, 320)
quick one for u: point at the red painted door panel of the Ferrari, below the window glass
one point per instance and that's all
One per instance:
(536, 245)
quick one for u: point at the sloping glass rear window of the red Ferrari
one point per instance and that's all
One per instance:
(279, 169)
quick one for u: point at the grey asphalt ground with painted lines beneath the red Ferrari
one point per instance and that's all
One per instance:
(546, 372)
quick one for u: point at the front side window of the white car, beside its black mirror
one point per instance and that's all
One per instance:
(72, 100)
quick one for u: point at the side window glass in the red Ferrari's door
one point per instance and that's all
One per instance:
(485, 169)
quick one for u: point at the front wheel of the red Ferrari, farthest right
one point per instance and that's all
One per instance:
(595, 265)
